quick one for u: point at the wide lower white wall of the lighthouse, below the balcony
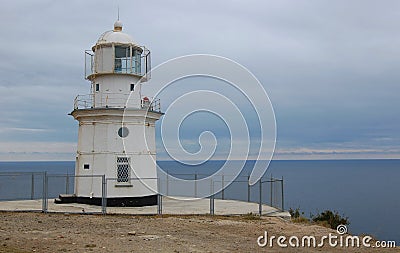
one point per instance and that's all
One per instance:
(99, 145)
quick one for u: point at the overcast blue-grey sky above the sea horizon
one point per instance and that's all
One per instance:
(331, 68)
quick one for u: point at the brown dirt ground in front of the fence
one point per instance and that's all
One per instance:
(37, 232)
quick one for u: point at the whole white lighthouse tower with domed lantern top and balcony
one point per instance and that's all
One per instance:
(112, 129)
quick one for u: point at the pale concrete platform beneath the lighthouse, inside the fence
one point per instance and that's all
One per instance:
(169, 206)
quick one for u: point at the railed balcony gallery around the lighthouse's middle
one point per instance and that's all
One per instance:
(114, 100)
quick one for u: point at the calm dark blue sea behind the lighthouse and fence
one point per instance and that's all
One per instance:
(365, 191)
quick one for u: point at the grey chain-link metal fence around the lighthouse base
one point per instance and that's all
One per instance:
(39, 191)
